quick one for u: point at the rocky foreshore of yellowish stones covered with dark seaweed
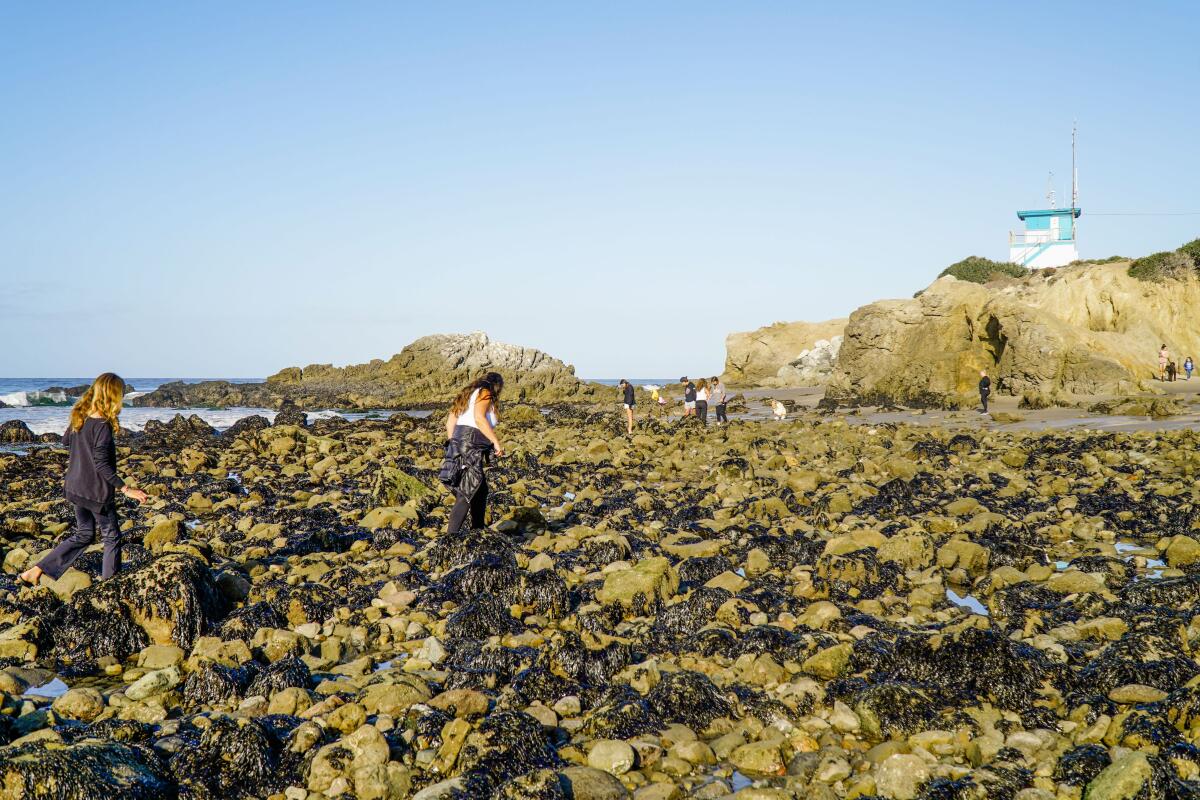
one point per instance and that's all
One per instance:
(797, 610)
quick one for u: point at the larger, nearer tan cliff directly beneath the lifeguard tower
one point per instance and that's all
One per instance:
(1083, 330)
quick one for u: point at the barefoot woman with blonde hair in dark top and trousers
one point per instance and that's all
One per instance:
(92, 482)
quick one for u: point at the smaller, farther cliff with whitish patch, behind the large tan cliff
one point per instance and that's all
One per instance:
(784, 354)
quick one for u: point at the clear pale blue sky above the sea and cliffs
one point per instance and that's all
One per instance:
(229, 189)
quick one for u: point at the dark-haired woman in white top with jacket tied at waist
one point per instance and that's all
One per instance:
(471, 430)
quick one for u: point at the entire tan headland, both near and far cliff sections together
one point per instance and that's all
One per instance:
(1048, 336)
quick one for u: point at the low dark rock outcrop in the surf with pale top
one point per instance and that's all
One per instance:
(427, 372)
